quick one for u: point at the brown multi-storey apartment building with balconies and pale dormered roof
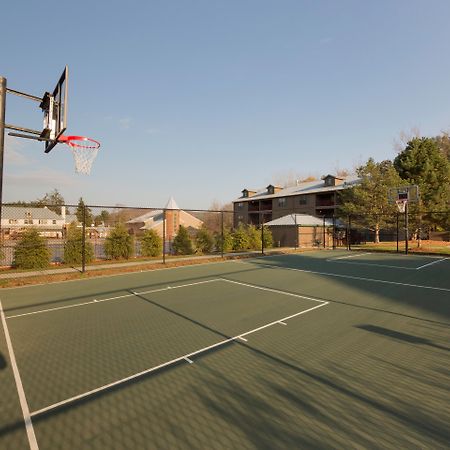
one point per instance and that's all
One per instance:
(319, 198)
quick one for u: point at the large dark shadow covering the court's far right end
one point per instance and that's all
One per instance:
(422, 303)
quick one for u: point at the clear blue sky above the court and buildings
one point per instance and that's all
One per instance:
(199, 99)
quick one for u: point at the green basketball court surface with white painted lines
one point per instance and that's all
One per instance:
(329, 349)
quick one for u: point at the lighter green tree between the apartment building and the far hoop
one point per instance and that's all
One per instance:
(367, 202)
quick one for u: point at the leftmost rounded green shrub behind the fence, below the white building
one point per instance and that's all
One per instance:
(31, 251)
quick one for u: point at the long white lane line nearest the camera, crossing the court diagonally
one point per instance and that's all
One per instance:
(186, 357)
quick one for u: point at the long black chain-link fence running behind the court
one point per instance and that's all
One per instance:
(39, 237)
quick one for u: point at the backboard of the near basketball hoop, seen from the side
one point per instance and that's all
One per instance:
(54, 106)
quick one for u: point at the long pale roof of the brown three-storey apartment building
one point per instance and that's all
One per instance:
(308, 187)
